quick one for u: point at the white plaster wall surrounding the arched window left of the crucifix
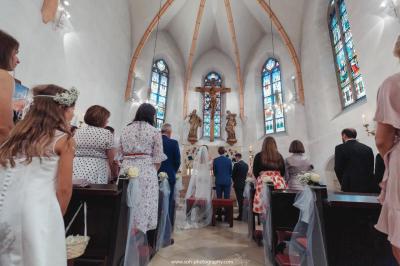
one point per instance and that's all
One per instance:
(166, 49)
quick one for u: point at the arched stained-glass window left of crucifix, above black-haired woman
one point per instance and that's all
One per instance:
(159, 89)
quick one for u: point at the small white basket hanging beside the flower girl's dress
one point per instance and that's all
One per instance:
(76, 245)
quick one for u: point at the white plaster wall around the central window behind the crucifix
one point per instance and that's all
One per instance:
(215, 60)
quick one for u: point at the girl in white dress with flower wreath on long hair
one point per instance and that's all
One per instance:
(36, 181)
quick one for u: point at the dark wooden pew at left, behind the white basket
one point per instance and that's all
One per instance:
(106, 222)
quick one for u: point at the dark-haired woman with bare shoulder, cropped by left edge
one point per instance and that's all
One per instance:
(8, 62)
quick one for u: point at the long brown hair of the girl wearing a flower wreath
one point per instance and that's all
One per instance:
(32, 136)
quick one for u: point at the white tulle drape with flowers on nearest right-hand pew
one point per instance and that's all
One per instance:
(307, 246)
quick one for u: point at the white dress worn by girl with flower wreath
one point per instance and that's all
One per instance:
(31, 223)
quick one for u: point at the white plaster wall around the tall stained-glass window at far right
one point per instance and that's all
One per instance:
(374, 34)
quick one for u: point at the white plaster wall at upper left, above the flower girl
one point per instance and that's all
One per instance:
(94, 56)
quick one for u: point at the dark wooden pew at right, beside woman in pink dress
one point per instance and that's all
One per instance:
(350, 234)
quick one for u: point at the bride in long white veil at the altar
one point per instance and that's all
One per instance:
(198, 212)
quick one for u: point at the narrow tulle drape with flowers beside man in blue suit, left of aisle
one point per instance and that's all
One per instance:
(164, 222)
